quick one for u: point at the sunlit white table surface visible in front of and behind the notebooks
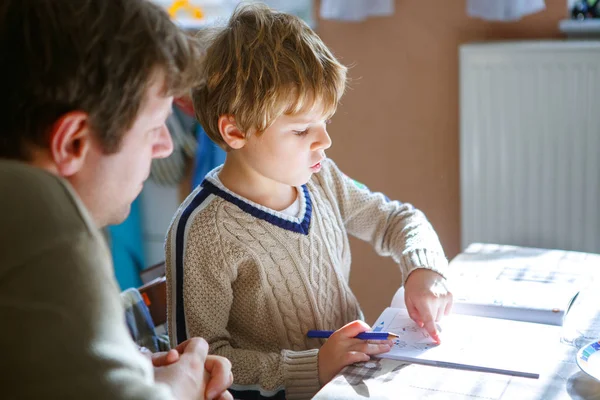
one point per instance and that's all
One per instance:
(560, 379)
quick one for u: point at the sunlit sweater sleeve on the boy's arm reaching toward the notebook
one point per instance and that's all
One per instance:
(393, 228)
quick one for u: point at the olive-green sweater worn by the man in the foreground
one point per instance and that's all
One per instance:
(63, 329)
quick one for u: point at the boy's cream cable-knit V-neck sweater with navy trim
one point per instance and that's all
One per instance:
(253, 281)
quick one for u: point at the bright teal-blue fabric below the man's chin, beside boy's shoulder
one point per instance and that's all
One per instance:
(127, 248)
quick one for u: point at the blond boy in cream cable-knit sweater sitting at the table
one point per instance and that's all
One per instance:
(259, 254)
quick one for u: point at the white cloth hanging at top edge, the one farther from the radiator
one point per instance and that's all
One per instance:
(355, 10)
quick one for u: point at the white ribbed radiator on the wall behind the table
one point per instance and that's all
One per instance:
(530, 144)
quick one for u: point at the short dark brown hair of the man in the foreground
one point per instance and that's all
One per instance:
(95, 56)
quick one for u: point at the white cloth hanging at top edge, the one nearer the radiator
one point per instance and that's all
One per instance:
(503, 10)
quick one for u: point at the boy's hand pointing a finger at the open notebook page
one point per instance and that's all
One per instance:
(427, 299)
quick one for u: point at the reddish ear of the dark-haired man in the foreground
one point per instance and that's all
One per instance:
(70, 141)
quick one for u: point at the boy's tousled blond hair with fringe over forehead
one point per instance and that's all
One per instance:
(264, 64)
